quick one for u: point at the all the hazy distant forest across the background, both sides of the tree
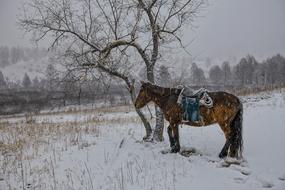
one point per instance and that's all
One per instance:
(61, 89)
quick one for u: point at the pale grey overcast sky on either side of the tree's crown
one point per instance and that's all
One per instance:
(227, 28)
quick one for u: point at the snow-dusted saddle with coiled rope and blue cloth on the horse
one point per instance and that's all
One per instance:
(190, 101)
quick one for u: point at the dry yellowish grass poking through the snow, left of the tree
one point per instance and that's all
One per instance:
(25, 138)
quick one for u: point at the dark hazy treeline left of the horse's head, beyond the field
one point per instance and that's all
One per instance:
(56, 89)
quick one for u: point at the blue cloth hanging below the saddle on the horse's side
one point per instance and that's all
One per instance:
(190, 108)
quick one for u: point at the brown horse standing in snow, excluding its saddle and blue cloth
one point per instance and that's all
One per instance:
(227, 111)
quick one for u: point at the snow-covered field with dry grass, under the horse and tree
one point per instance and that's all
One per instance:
(102, 149)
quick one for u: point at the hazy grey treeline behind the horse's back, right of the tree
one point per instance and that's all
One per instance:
(247, 76)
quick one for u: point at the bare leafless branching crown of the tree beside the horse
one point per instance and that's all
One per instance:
(110, 35)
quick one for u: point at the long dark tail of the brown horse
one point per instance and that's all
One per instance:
(236, 139)
